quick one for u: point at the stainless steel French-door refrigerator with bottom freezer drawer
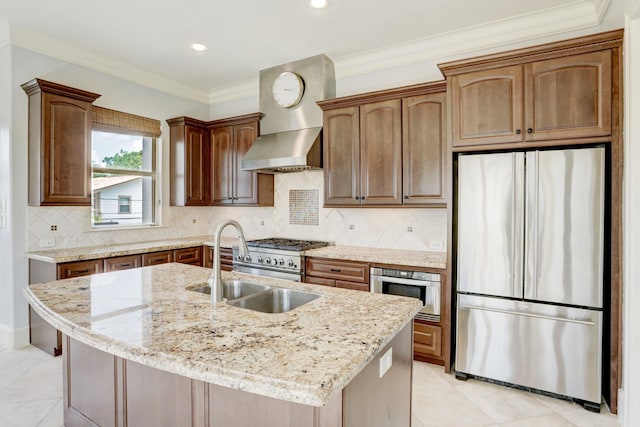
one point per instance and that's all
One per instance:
(530, 270)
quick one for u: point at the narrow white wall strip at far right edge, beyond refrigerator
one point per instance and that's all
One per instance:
(630, 395)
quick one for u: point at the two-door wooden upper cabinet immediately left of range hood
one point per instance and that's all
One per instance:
(230, 141)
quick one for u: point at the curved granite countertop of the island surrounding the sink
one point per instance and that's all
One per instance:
(145, 315)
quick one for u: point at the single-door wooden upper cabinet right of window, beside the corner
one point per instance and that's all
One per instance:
(189, 162)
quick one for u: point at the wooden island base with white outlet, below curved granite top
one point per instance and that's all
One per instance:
(101, 389)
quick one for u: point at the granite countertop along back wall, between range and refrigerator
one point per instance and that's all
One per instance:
(382, 256)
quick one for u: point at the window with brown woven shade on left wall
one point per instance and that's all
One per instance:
(123, 148)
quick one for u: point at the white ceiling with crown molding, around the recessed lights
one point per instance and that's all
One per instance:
(148, 41)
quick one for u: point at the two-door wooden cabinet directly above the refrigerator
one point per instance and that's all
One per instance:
(556, 99)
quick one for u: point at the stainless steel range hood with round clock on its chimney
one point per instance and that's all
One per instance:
(291, 128)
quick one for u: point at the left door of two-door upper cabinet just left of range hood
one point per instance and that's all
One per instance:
(222, 165)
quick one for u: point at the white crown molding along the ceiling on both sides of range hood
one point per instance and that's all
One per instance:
(574, 16)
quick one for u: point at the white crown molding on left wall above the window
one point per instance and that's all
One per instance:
(32, 40)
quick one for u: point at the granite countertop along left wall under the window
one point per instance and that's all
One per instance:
(105, 251)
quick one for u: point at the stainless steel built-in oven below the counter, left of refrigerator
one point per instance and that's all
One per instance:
(416, 284)
